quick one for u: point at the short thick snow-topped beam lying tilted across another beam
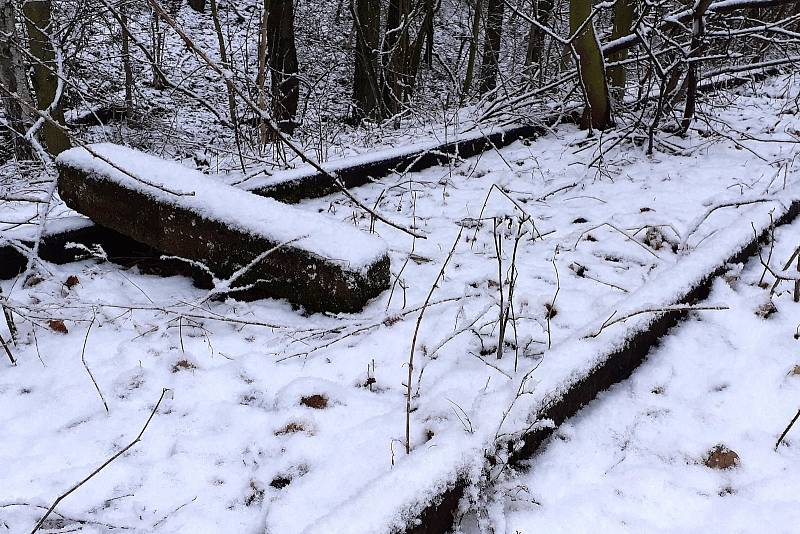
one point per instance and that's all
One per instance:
(315, 261)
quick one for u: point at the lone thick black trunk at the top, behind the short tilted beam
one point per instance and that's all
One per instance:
(283, 62)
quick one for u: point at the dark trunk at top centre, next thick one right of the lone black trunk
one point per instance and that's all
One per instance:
(366, 79)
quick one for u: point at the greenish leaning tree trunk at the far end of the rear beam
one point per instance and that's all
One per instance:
(591, 67)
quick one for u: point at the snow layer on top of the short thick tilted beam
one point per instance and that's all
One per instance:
(177, 185)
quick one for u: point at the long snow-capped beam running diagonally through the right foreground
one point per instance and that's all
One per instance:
(571, 375)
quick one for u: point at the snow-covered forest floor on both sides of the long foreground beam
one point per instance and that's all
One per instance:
(290, 421)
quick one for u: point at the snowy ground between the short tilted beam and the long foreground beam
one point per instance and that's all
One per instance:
(234, 447)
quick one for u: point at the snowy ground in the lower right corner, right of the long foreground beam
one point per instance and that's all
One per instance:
(634, 459)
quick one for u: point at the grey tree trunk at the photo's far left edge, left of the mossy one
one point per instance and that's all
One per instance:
(12, 77)
